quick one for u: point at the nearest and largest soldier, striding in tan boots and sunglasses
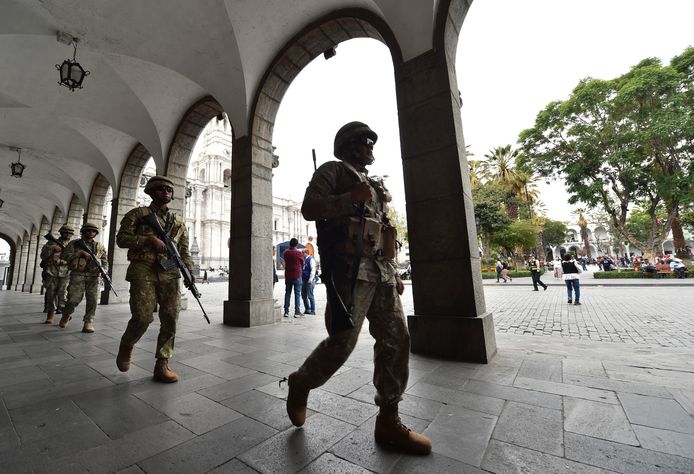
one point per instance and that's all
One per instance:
(357, 246)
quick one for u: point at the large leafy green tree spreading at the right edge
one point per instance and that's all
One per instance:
(623, 143)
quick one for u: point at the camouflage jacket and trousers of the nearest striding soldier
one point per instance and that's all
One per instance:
(375, 295)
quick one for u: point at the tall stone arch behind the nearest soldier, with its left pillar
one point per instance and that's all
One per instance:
(250, 298)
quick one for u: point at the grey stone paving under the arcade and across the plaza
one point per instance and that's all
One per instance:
(603, 387)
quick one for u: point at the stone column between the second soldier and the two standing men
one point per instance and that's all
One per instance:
(250, 300)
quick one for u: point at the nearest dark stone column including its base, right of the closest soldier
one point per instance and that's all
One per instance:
(451, 319)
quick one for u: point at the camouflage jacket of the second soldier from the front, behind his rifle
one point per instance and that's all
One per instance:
(145, 263)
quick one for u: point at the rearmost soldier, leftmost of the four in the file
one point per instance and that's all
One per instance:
(56, 271)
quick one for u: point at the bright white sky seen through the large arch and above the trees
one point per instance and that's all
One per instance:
(513, 59)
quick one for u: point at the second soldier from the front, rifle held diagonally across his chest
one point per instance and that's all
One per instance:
(153, 280)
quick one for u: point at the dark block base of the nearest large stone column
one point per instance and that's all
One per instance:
(453, 338)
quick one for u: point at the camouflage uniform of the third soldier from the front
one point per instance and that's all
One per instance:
(84, 278)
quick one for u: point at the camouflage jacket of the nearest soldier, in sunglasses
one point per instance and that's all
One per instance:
(328, 201)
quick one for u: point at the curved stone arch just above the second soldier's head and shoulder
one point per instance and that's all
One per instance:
(194, 121)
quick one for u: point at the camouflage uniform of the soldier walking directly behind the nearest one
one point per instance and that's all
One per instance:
(150, 282)
